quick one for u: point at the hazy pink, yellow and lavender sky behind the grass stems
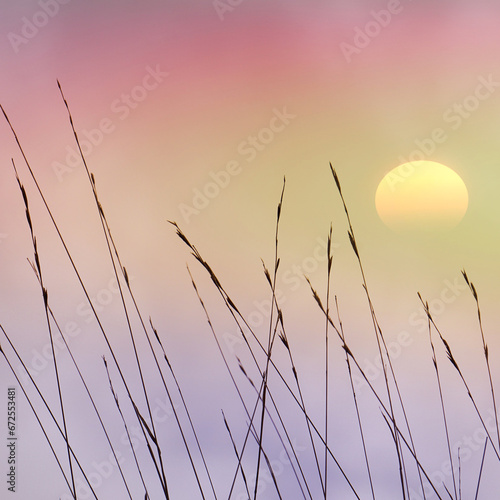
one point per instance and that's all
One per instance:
(195, 113)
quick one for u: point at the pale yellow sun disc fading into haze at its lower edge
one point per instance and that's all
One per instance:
(421, 195)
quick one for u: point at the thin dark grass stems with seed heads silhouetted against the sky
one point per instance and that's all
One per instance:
(264, 416)
